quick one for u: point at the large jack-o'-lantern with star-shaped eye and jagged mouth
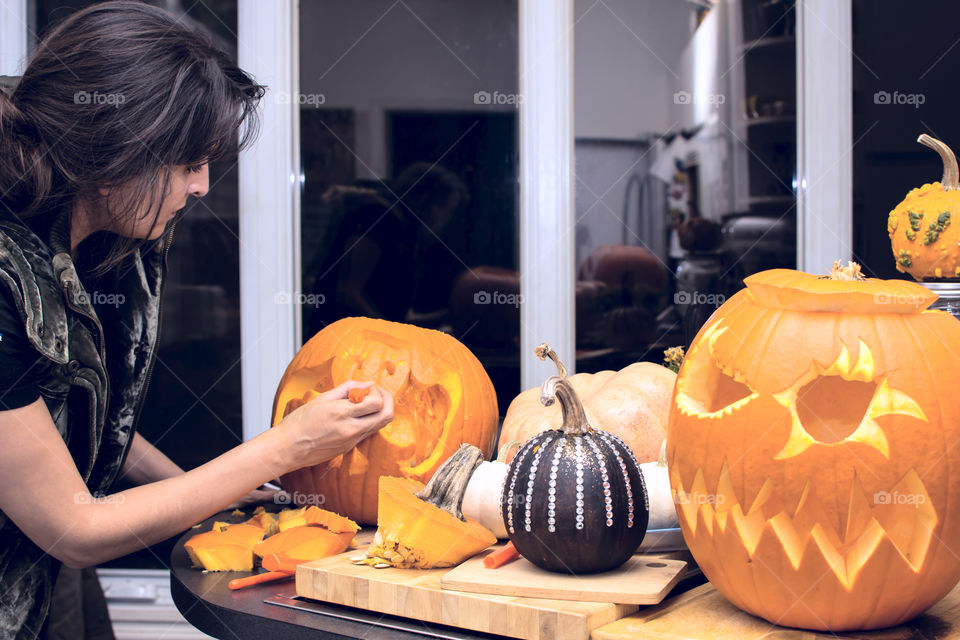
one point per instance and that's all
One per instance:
(812, 450)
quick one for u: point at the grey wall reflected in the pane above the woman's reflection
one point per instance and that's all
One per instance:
(419, 54)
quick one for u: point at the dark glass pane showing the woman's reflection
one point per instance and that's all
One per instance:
(409, 150)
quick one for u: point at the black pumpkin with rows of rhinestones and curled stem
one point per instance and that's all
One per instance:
(574, 500)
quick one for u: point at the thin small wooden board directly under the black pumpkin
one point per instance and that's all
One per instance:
(641, 580)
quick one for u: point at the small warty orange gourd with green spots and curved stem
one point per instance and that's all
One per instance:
(923, 236)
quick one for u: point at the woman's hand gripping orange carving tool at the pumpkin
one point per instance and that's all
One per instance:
(330, 424)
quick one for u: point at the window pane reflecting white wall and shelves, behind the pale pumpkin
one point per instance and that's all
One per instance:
(685, 163)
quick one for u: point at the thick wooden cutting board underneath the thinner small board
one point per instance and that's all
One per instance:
(417, 594)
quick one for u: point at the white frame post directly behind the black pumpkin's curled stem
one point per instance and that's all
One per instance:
(547, 219)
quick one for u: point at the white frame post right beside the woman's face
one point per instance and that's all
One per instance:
(268, 48)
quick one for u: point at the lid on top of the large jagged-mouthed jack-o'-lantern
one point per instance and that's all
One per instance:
(799, 291)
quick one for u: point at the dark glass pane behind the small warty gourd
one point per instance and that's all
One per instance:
(899, 91)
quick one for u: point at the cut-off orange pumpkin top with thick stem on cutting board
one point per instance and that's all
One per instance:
(423, 527)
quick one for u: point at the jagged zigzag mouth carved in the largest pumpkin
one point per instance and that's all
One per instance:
(807, 532)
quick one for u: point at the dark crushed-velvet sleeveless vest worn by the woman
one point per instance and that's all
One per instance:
(96, 344)
